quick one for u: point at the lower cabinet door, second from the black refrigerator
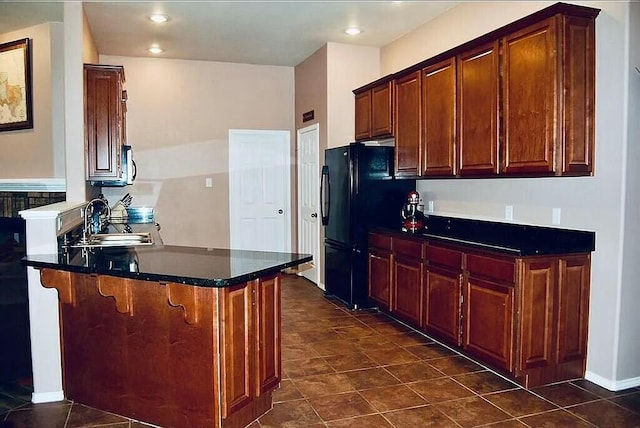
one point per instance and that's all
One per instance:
(407, 290)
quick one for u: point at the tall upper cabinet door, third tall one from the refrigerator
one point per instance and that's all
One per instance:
(478, 111)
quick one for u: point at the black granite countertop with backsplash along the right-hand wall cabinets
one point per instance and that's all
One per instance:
(507, 238)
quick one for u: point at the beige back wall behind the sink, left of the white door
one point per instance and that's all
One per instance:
(179, 114)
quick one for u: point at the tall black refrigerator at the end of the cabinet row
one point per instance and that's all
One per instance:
(358, 192)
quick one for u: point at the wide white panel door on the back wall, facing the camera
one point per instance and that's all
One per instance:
(259, 190)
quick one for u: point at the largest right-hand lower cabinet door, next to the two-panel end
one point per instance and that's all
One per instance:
(489, 322)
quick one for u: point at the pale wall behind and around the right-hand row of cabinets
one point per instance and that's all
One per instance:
(591, 203)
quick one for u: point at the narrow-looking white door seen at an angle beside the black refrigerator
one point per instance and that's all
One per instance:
(309, 199)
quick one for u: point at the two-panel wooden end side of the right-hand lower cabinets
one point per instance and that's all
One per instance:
(554, 302)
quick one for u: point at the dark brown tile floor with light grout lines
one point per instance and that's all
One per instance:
(363, 369)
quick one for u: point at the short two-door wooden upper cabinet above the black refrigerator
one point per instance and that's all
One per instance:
(374, 111)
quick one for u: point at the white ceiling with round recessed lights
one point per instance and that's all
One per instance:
(253, 32)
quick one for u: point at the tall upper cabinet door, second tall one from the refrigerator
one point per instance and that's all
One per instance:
(439, 120)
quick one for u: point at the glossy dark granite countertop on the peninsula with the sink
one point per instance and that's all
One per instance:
(203, 267)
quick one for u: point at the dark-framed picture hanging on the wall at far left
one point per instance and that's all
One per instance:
(16, 111)
